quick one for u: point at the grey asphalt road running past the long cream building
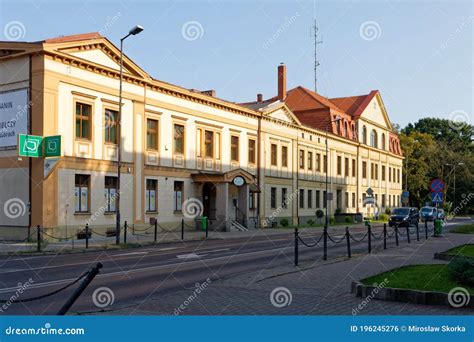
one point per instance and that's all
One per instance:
(136, 275)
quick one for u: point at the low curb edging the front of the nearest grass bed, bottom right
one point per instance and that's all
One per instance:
(405, 295)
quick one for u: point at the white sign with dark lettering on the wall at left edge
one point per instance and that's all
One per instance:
(14, 111)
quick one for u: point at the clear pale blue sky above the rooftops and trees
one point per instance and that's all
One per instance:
(420, 57)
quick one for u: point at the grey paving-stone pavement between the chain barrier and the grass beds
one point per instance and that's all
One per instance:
(317, 287)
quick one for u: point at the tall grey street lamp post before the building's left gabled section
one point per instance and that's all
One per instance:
(134, 31)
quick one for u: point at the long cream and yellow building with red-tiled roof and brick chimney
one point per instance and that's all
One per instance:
(184, 153)
